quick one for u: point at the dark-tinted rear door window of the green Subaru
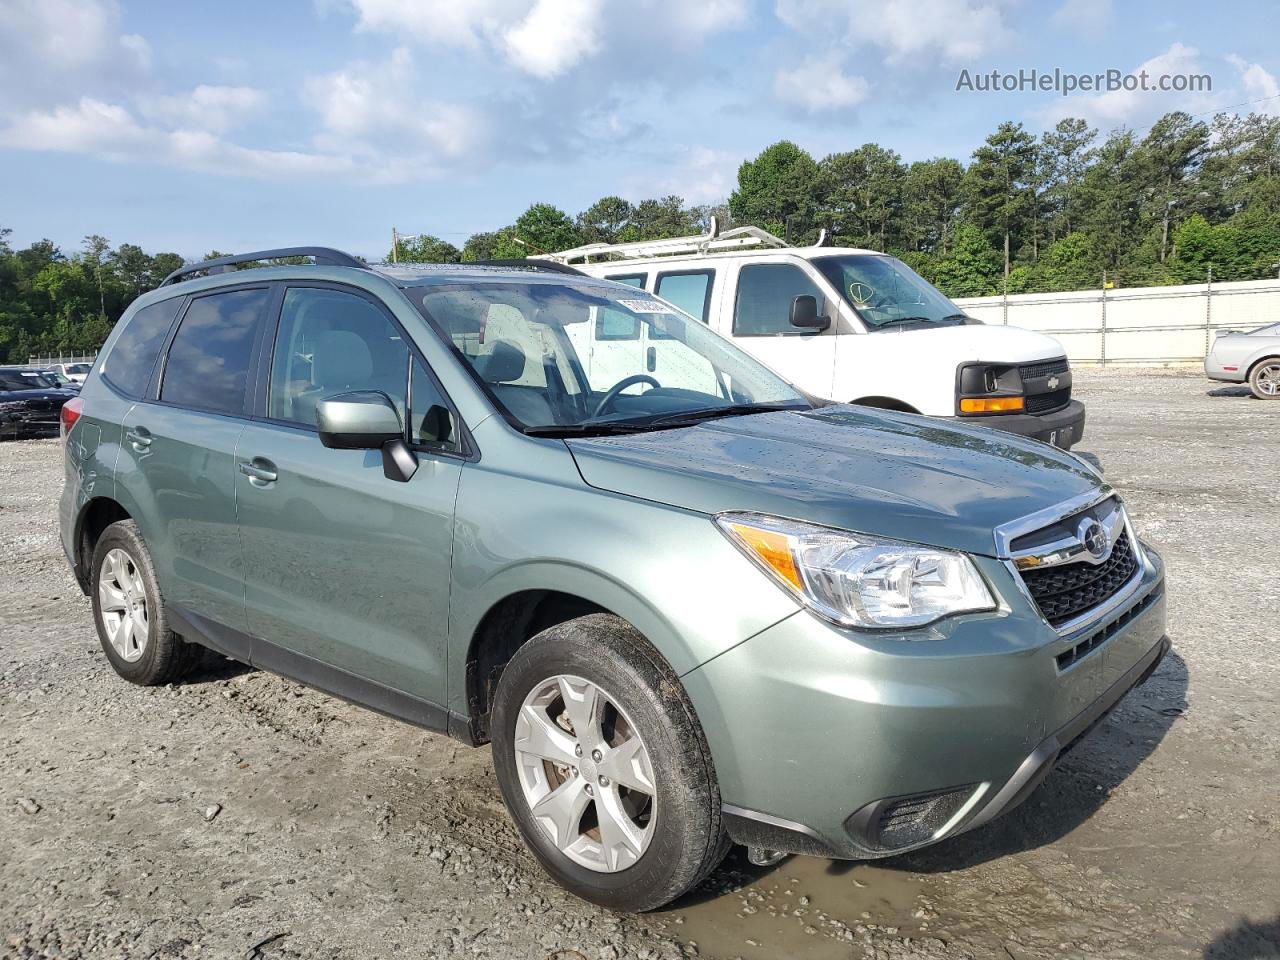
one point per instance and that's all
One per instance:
(209, 359)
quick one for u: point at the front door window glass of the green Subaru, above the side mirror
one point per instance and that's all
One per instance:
(333, 342)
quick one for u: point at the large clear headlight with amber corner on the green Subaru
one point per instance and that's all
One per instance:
(857, 580)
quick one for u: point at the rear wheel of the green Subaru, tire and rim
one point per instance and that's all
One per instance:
(130, 615)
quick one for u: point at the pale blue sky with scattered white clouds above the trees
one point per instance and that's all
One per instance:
(253, 125)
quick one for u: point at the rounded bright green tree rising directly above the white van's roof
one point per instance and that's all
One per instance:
(779, 191)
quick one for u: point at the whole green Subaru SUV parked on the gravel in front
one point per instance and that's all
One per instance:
(687, 604)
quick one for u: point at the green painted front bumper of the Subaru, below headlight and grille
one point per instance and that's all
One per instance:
(816, 732)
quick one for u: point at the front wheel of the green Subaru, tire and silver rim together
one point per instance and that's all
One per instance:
(605, 767)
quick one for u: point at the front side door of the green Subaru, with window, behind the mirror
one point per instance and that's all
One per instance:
(348, 572)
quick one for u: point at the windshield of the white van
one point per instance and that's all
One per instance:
(888, 294)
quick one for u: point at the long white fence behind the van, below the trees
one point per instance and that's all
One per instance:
(1144, 326)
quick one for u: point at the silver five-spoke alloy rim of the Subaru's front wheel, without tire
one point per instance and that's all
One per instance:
(586, 774)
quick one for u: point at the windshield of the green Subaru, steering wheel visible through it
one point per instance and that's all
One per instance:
(577, 356)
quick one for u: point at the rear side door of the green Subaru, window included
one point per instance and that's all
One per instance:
(176, 472)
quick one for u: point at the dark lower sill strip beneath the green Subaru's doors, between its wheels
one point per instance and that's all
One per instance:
(322, 676)
